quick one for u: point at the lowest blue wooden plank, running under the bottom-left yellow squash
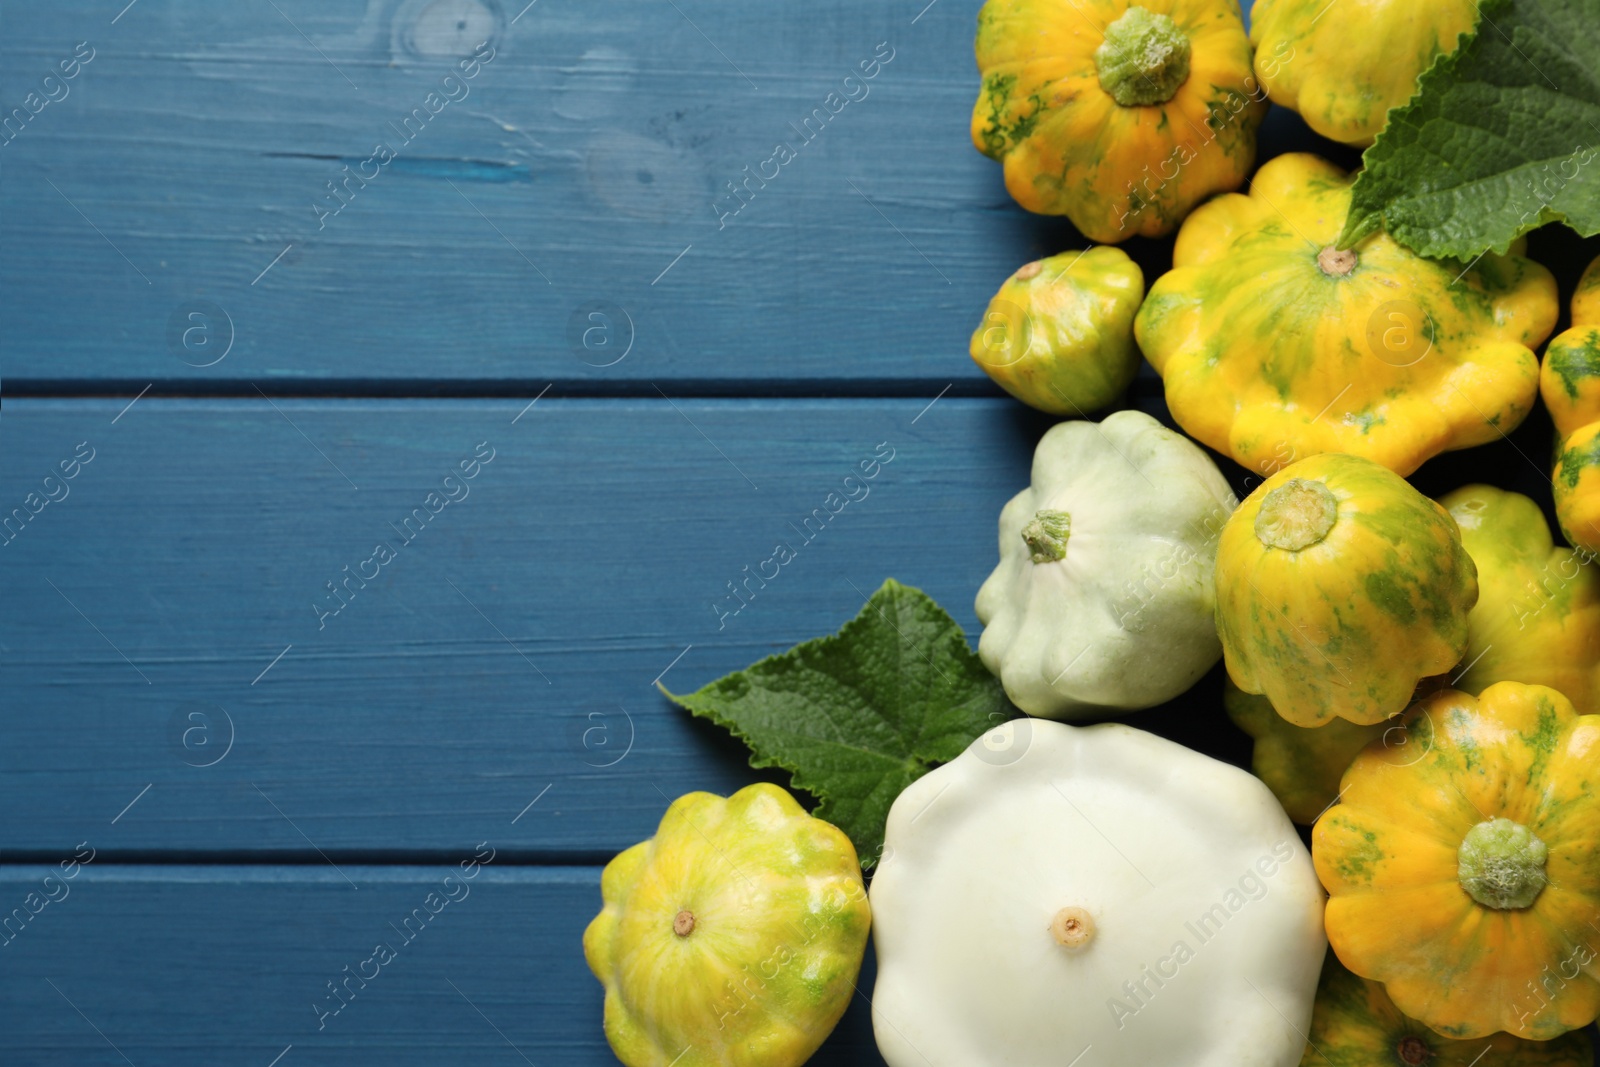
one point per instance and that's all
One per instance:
(231, 965)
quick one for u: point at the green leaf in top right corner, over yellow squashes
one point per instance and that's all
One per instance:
(1502, 138)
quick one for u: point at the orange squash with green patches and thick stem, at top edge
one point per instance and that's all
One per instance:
(1119, 116)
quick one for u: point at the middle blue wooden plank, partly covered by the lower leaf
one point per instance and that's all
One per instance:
(177, 597)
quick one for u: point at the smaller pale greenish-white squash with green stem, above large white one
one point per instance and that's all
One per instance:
(1103, 596)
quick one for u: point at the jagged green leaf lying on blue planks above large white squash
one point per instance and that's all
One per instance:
(863, 714)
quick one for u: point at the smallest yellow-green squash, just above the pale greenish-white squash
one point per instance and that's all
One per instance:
(1058, 335)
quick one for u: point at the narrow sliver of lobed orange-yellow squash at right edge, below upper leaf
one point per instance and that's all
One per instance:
(1570, 385)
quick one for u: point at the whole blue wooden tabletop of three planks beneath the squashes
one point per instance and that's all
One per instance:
(393, 393)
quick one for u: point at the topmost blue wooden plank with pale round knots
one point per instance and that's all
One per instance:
(188, 167)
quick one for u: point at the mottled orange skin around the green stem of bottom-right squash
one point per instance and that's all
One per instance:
(1390, 852)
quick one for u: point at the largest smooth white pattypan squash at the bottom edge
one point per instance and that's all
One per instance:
(1092, 889)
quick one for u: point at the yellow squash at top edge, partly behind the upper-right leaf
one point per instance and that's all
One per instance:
(1346, 71)
